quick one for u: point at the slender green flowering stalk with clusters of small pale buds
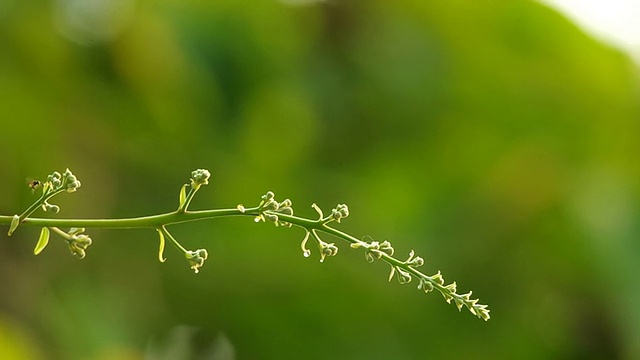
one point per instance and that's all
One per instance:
(268, 210)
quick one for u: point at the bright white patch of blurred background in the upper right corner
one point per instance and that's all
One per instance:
(614, 21)
